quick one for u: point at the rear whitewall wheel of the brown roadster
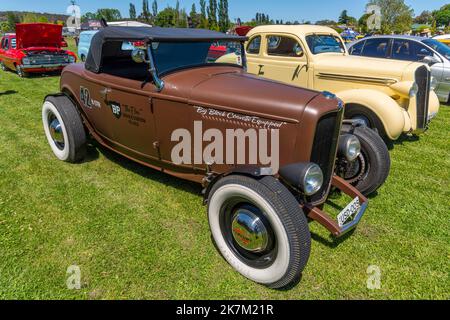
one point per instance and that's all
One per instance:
(70, 127)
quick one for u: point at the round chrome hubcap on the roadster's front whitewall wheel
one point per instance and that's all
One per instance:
(249, 231)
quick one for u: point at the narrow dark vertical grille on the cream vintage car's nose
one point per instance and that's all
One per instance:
(423, 95)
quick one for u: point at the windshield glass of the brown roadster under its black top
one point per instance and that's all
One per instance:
(170, 56)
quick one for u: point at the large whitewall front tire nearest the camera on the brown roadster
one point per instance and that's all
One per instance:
(277, 266)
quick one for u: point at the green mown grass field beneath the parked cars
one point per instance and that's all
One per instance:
(139, 234)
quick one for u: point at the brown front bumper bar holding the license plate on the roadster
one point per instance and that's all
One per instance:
(331, 224)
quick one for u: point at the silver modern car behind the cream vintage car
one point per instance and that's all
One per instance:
(410, 48)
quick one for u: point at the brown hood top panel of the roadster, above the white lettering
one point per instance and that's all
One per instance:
(211, 86)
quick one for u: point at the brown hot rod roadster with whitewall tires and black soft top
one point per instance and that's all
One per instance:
(146, 104)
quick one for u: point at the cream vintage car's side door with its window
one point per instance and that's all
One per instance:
(285, 60)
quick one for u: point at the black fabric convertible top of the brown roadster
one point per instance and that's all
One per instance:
(108, 41)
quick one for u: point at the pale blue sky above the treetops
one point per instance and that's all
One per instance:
(245, 9)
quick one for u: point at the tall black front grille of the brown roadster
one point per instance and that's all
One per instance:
(324, 150)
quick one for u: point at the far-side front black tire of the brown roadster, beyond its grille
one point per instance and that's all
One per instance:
(371, 169)
